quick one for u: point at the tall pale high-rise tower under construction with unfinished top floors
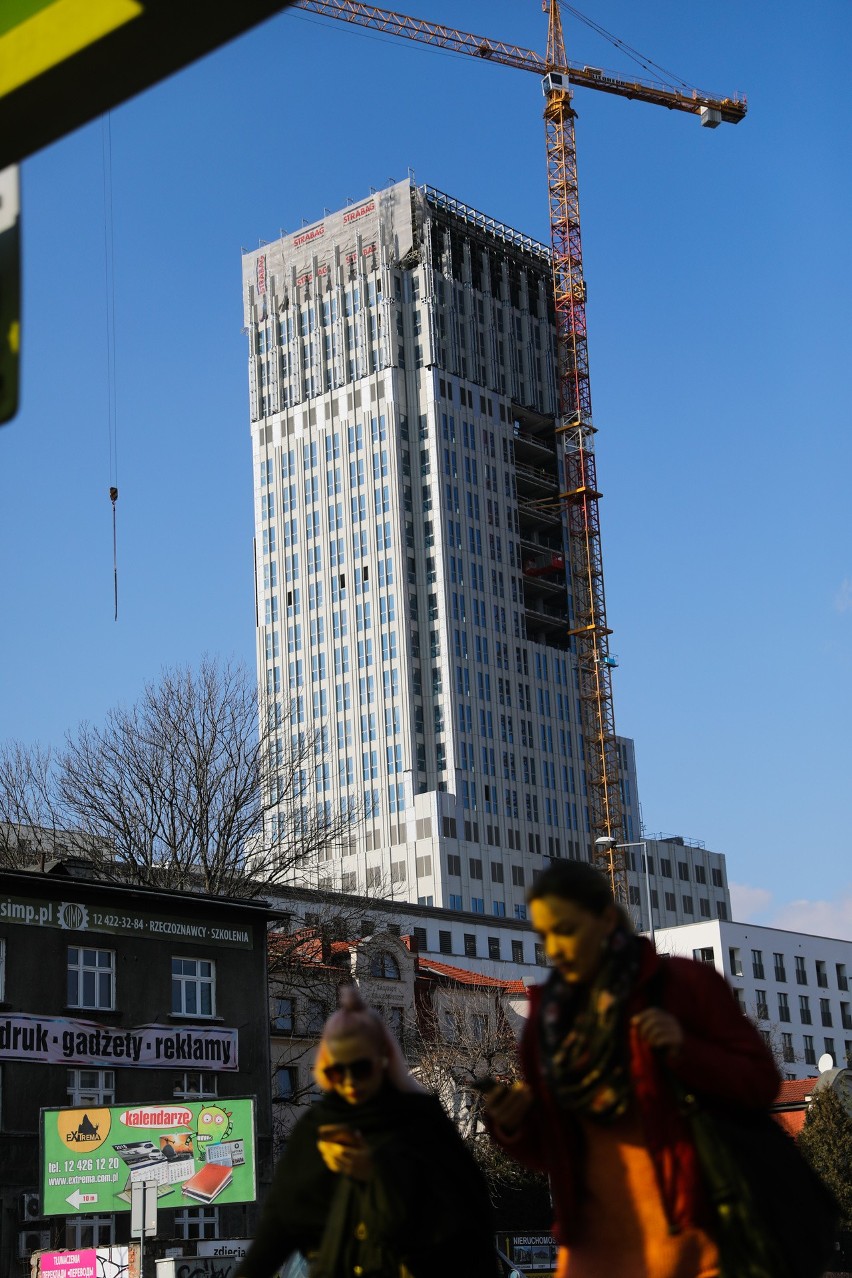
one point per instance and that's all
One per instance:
(411, 546)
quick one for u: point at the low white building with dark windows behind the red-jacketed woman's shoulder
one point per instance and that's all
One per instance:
(794, 986)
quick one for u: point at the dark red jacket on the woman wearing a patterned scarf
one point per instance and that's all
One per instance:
(724, 1059)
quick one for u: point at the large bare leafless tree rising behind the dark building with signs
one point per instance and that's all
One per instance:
(181, 792)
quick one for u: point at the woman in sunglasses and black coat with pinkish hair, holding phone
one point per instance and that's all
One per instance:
(375, 1182)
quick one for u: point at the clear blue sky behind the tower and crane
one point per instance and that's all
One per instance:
(720, 281)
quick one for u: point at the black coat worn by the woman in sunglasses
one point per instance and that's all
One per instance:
(426, 1205)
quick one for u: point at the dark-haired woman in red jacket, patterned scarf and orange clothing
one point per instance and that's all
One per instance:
(597, 1111)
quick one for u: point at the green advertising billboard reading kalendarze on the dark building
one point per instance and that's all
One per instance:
(196, 1152)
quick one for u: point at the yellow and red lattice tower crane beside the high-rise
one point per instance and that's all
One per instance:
(579, 490)
